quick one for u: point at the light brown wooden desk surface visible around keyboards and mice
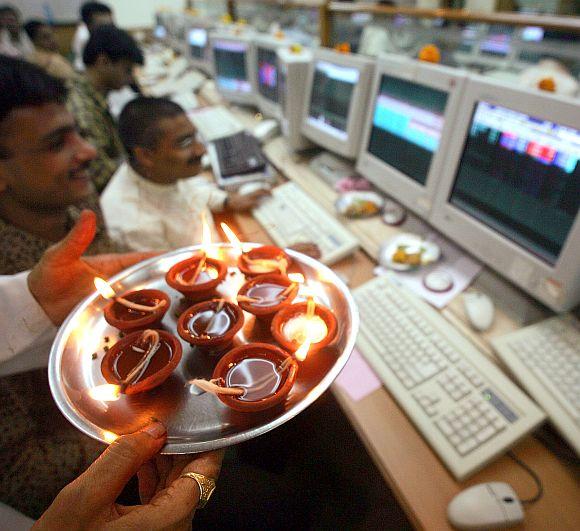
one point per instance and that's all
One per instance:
(418, 479)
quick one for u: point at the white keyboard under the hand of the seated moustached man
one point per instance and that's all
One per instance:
(291, 216)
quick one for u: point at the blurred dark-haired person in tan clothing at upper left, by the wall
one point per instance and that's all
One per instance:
(46, 54)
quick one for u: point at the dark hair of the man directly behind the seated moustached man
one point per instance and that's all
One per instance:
(113, 42)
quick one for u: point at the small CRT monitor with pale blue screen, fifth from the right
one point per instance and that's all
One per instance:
(233, 66)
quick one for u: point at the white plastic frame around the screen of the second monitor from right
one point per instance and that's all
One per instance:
(416, 197)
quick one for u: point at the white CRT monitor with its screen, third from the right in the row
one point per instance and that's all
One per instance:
(336, 99)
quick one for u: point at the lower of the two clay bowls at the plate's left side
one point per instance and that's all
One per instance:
(154, 375)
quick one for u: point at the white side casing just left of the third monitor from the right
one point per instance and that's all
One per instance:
(294, 67)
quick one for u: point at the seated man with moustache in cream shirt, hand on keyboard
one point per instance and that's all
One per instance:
(155, 200)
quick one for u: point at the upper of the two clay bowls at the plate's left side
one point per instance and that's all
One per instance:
(128, 320)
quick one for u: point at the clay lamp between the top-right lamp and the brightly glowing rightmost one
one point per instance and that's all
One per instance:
(265, 295)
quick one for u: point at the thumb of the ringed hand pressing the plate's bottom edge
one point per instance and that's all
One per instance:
(107, 476)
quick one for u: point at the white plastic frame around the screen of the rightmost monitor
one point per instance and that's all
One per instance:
(557, 285)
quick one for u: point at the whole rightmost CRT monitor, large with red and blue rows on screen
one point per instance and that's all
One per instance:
(511, 190)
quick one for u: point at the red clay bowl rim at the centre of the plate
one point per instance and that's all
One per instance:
(215, 342)
